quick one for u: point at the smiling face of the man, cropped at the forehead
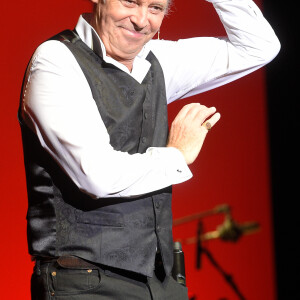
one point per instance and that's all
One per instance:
(125, 26)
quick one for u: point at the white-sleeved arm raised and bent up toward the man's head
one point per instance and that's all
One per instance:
(192, 66)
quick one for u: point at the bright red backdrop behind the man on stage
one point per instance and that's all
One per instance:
(233, 167)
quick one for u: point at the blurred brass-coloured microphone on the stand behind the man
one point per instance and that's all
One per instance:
(230, 230)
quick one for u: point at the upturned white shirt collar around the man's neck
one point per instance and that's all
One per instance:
(90, 37)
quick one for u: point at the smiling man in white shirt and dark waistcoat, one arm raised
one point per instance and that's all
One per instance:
(99, 160)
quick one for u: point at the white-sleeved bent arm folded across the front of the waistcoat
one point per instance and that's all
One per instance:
(58, 106)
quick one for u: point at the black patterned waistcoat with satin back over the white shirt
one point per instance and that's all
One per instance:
(122, 233)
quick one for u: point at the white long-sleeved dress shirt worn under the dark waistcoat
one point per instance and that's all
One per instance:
(58, 104)
